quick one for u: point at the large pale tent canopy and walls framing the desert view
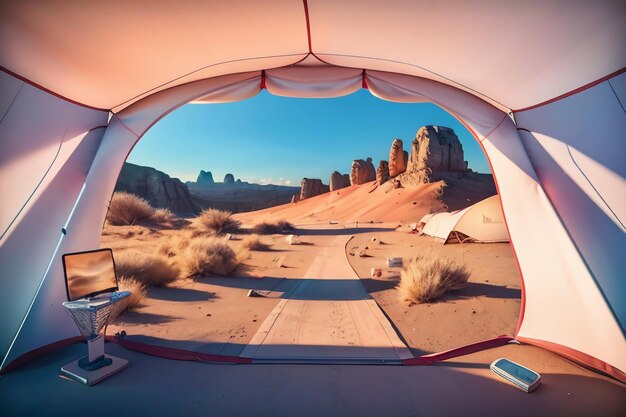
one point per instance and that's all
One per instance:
(540, 84)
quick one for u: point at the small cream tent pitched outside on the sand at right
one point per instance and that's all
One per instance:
(480, 222)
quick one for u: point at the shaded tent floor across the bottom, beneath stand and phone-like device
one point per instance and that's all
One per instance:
(461, 386)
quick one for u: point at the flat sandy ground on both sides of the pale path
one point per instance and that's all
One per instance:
(214, 315)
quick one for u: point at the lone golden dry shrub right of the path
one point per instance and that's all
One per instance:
(427, 279)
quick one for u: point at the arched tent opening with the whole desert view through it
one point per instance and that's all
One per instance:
(300, 270)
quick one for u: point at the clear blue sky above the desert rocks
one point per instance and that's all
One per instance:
(279, 140)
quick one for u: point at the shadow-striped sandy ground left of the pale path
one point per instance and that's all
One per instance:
(212, 314)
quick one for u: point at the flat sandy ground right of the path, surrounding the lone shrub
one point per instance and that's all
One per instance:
(488, 307)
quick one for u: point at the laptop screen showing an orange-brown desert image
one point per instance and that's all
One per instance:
(89, 273)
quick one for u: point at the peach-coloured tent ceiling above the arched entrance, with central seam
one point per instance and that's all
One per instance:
(517, 54)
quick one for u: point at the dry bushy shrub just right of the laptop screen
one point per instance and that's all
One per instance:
(151, 270)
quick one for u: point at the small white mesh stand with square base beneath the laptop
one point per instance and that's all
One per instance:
(90, 316)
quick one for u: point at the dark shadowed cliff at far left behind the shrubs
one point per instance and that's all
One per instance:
(158, 188)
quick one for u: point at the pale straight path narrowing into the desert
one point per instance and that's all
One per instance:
(328, 317)
